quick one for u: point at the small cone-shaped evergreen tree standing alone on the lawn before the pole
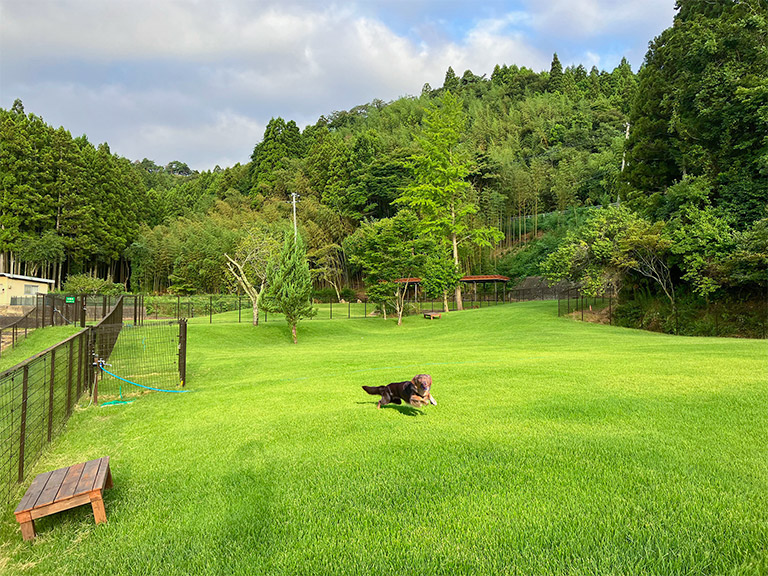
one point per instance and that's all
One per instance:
(290, 283)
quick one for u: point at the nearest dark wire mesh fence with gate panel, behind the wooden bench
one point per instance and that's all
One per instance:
(38, 395)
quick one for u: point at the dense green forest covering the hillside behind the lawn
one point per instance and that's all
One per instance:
(653, 183)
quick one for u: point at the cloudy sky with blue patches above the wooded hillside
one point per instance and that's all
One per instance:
(198, 80)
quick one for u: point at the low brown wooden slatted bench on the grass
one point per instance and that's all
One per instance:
(63, 489)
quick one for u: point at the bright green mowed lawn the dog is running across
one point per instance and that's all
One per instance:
(557, 447)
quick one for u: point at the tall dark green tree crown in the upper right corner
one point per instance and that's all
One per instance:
(701, 108)
